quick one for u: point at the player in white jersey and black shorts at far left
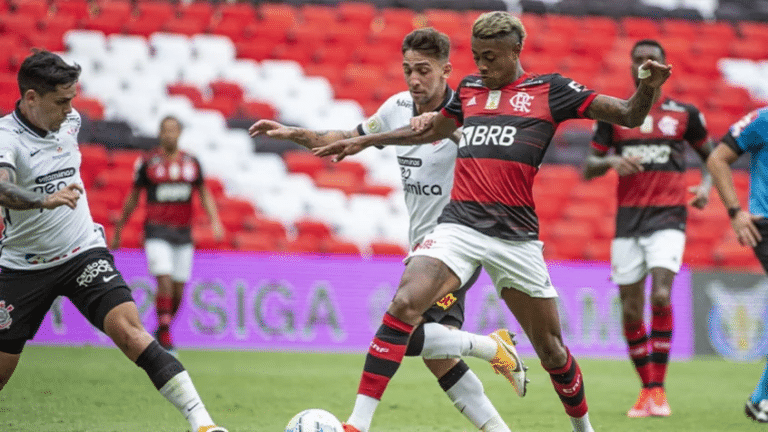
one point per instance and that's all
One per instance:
(52, 247)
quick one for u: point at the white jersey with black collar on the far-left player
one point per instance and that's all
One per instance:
(45, 162)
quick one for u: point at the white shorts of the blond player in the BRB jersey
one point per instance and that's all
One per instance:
(510, 264)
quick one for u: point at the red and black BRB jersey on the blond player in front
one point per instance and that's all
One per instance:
(505, 135)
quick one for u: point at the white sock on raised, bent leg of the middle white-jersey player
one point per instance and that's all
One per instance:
(441, 342)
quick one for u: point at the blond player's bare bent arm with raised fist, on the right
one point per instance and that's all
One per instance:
(631, 112)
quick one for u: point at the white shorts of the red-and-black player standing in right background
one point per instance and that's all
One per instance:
(632, 257)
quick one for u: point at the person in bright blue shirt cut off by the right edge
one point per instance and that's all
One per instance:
(748, 135)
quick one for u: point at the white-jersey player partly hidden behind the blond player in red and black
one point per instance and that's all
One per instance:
(426, 67)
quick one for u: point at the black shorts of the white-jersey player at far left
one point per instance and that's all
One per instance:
(89, 280)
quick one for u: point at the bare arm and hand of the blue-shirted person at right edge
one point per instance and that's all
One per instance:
(719, 165)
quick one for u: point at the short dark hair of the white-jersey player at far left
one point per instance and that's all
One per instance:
(43, 71)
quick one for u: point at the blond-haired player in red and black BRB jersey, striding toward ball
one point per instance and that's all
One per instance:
(509, 118)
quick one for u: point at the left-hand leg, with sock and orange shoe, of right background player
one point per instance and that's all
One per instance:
(636, 335)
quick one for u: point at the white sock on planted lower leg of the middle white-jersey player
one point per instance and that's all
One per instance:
(469, 398)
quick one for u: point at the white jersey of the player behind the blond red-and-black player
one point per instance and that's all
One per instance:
(426, 170)
